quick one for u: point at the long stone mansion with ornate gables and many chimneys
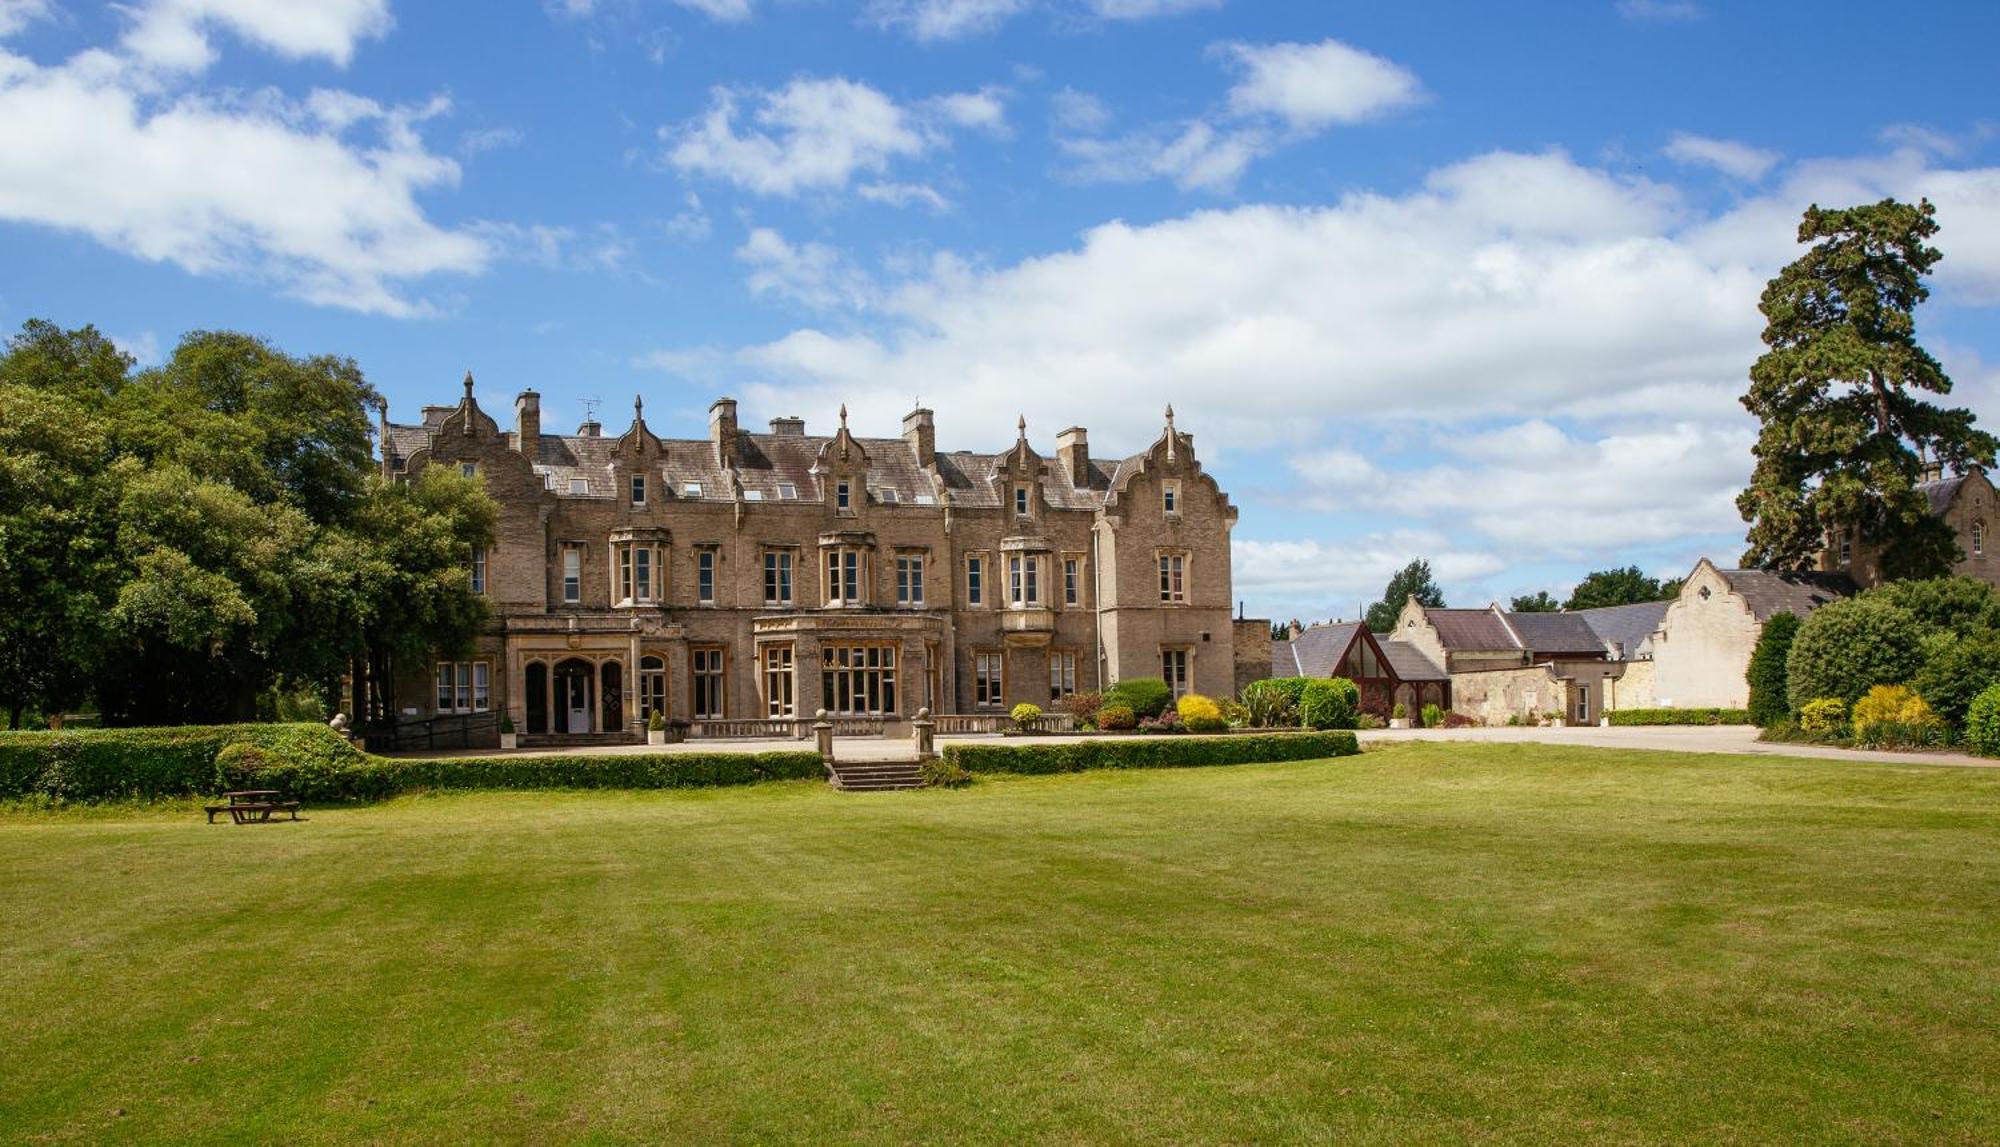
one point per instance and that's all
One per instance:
(775, 574)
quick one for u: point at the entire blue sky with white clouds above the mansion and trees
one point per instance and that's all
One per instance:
(1473, 283)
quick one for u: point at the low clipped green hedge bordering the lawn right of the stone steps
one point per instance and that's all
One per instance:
(1151, 752)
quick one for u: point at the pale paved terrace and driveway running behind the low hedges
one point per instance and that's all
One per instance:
(1737, 740)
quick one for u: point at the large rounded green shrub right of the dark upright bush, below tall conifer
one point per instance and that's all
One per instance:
(1847, 648)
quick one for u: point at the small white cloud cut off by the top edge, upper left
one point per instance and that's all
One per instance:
(175, 33)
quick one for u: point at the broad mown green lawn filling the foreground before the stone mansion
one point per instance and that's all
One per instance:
(1437, 942)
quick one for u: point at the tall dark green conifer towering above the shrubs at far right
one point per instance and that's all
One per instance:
(1847, 433)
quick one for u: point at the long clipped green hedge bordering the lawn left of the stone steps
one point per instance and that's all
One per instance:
(317, 764)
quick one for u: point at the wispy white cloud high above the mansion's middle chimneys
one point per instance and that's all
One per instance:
(807, 137)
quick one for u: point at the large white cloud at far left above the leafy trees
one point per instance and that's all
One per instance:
(317, 197)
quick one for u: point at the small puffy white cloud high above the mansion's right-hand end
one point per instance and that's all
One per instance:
(1313, 87)
